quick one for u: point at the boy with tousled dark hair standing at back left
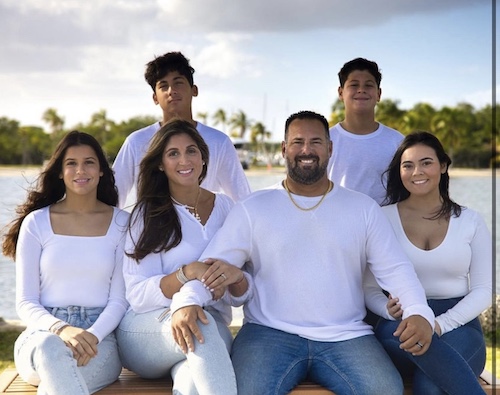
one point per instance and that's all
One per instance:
(171, 78)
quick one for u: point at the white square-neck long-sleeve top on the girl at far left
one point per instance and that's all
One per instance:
(58, 271)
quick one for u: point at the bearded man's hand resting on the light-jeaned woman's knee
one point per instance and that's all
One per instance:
(185, 326)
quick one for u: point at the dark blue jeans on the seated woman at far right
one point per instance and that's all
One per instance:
(451, 365)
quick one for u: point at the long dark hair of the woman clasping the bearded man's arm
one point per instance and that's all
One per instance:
(162, 228)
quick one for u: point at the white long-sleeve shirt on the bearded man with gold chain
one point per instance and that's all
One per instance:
(307, 266)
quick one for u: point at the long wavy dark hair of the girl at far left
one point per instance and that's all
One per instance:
(49, 187)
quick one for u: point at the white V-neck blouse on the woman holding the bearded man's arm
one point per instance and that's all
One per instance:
(142, 280)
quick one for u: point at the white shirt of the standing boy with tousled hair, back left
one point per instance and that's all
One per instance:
(224, 172)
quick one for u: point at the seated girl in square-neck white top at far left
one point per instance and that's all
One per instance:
(67, 242)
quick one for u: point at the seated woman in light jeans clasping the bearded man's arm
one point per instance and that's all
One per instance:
(173, 221)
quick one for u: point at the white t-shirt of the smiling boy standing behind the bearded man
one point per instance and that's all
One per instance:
(359, 161)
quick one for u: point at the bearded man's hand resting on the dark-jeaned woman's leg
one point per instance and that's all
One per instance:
(415, 334)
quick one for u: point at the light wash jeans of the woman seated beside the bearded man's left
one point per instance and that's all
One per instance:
(147, 347)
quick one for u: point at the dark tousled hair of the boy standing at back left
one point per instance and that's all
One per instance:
(160, 66)
